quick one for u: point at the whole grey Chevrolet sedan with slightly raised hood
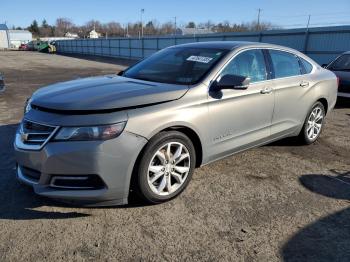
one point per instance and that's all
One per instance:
(93, 140)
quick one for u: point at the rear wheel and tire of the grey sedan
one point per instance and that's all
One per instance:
(313, 124)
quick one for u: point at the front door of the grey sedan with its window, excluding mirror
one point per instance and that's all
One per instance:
(241, 118)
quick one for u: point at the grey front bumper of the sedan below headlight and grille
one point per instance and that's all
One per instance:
(112, 161)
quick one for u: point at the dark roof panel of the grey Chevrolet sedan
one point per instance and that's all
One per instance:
(229, 45)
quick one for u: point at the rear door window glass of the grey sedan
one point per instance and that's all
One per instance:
(284, 64)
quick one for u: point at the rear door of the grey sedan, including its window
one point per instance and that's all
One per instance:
(291, 86)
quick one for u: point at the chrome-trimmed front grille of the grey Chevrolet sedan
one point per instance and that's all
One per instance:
(34, 135)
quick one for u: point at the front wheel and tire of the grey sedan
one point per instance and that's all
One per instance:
(157, 167)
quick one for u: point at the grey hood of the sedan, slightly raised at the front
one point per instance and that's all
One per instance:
(104, 93)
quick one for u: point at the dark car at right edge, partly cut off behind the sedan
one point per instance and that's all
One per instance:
(341, 67)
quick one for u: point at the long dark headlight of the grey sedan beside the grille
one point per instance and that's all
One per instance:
(89, 133)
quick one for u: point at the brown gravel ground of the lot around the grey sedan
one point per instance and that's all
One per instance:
(280, 202)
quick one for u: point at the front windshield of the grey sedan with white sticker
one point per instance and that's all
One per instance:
(184, 66)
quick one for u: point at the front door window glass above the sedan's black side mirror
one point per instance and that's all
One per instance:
(250, 64)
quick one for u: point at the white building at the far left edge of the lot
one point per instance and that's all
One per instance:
(13, 38)
